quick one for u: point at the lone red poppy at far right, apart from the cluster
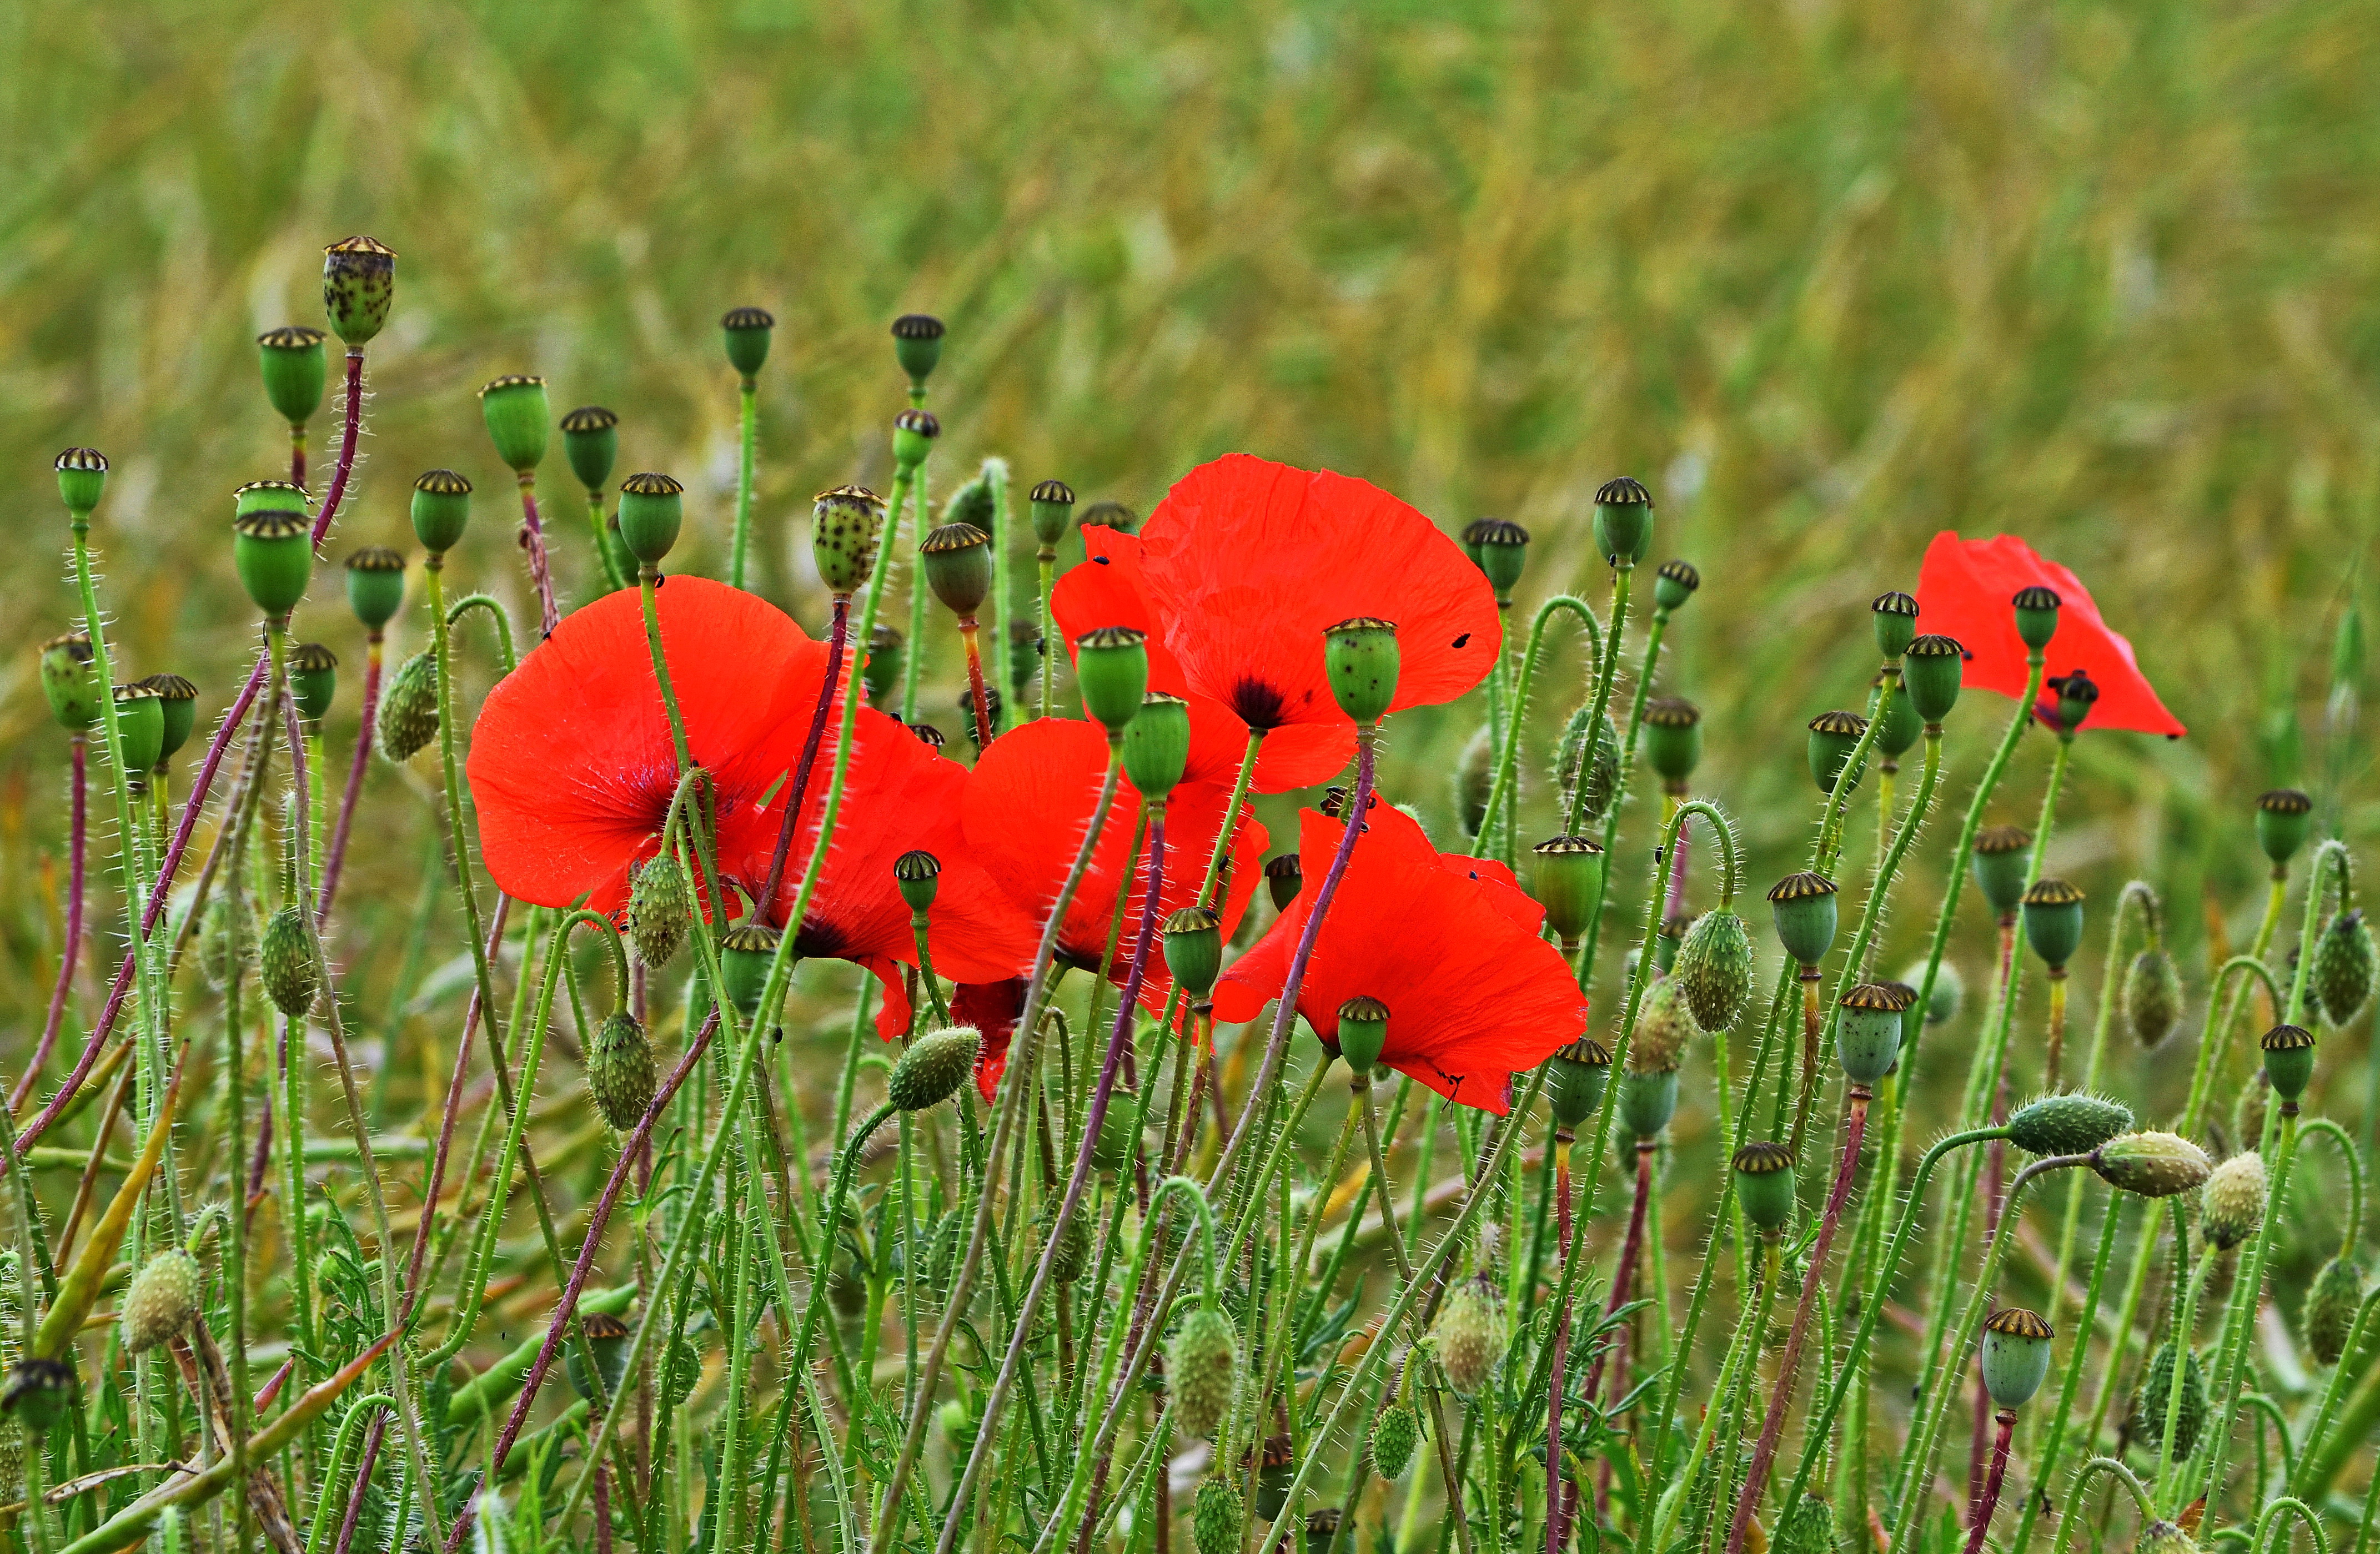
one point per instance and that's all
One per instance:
(1965, 591)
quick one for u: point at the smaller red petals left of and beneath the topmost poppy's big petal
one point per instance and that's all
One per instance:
(1110, 589)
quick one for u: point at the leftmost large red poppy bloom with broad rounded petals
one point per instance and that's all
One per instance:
(572, 763)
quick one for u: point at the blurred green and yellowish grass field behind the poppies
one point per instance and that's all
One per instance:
(1829, 275)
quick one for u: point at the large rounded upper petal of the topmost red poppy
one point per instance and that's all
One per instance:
(1248, 563)
